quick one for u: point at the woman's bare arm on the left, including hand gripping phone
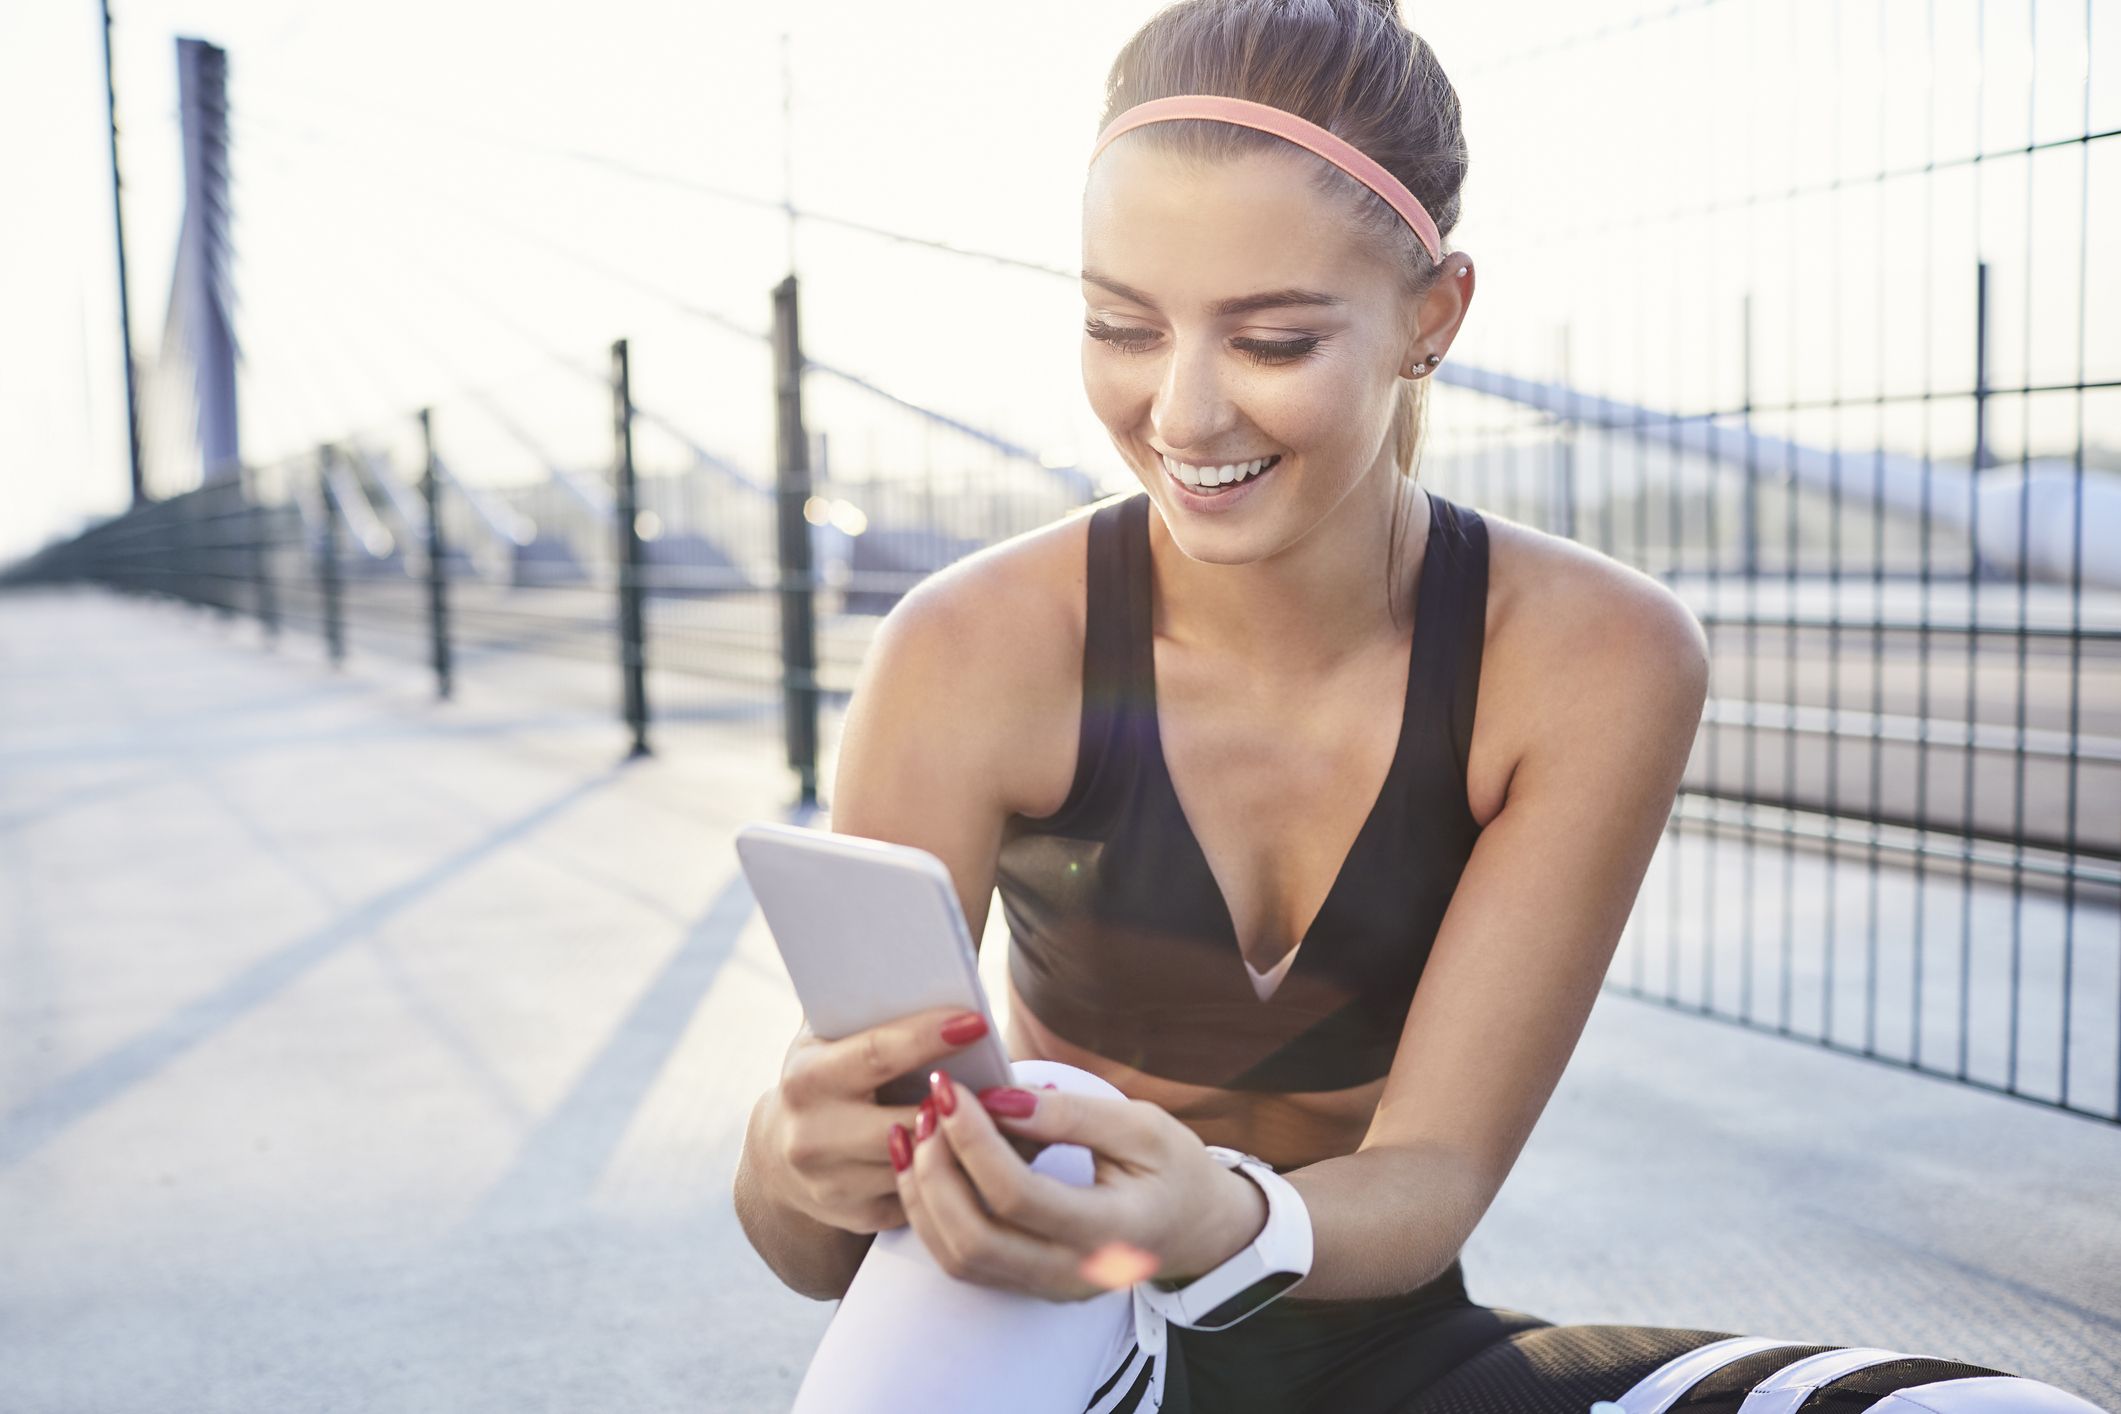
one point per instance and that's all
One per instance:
(924, 762)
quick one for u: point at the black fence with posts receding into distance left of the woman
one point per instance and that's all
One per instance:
(697, 588)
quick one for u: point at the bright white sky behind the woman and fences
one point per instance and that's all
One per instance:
(406, 228)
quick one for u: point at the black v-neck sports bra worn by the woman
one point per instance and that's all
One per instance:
(1123, 940)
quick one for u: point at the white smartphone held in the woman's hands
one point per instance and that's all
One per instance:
(871, 932)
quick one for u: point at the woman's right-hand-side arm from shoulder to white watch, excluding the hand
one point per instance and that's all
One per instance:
(1524, 947)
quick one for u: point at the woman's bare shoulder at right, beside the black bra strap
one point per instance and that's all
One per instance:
(1575, 641)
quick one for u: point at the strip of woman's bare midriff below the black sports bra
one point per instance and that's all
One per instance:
(1289, 1131)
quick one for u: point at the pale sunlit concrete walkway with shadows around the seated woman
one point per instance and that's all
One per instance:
(372, 1055)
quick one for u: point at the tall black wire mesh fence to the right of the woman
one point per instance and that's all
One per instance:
(1821, 347)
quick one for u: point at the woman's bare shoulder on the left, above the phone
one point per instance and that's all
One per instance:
(987, 654)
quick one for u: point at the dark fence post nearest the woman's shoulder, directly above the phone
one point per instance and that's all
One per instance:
(792, 487)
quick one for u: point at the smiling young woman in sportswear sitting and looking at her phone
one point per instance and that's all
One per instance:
(1252, 754)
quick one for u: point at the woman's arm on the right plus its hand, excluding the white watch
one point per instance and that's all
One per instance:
(1505, 995)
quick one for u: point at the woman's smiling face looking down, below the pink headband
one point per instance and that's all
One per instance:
(1178, 359)
